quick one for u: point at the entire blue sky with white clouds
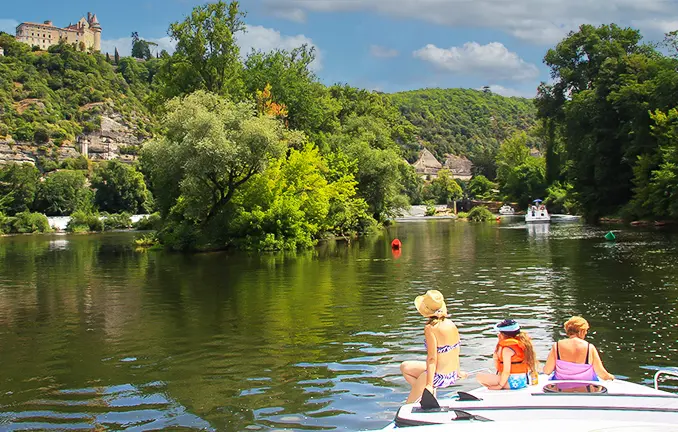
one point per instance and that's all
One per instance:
(384, 45)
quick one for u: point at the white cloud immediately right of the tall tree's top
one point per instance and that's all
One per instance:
(265, 39)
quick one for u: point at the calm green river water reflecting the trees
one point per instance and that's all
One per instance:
(97, 335)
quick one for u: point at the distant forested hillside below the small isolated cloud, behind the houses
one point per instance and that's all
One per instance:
(464, 121)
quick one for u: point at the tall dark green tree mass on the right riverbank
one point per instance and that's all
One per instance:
(595, 115)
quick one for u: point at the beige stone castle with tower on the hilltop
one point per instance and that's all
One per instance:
(86, 33)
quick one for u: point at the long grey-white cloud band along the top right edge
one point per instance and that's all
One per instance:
(542, 22)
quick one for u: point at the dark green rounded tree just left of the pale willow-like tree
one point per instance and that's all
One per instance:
(120, 188)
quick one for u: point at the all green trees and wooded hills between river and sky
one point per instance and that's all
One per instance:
(251, 151)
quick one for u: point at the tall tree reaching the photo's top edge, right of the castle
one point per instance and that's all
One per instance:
(206, 55)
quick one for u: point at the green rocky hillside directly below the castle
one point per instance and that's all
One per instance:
(56, 95)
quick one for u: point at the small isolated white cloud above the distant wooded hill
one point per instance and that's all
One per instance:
(493, 60)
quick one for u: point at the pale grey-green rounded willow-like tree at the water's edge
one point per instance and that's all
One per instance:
(211, 148)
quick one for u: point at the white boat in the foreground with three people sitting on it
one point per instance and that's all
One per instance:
(550, 405)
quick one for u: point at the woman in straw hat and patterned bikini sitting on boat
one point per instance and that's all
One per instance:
(441, 368)
